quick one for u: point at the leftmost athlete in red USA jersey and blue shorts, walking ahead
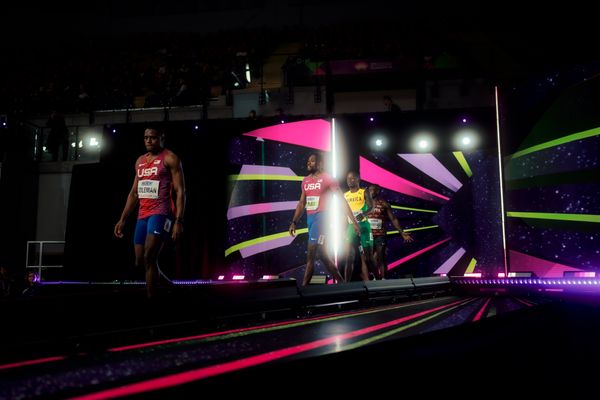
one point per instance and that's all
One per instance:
(158, 175)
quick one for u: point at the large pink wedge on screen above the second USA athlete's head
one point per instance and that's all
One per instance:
(315, 134)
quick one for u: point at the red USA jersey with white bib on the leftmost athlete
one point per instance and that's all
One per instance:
(155, 184)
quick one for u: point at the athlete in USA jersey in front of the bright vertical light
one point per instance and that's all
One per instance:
(316, 187)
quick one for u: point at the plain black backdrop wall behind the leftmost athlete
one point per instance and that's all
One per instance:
(99, 191)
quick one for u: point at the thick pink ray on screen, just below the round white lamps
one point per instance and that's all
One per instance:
(375, 174)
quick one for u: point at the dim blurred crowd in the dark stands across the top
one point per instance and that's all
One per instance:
(123, 71)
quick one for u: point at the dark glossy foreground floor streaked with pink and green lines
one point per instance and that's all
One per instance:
(392, 339)
